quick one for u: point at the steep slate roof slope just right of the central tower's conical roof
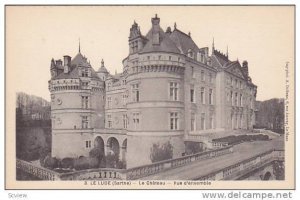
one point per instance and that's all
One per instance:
(183, 41)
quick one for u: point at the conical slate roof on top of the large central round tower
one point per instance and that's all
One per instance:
(165, 45)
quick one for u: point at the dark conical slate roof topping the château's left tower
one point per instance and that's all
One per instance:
(78, 60)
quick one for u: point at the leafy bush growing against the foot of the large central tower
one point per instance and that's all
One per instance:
(163, 152)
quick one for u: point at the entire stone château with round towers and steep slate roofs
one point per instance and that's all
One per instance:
(170, 91)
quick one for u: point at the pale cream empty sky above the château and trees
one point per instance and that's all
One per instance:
(264, 36)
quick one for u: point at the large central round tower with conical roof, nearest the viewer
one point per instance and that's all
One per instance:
(155, 105)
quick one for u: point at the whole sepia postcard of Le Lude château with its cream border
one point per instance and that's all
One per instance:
(150, 97)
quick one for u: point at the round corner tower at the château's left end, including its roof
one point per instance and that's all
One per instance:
(77, 106)
